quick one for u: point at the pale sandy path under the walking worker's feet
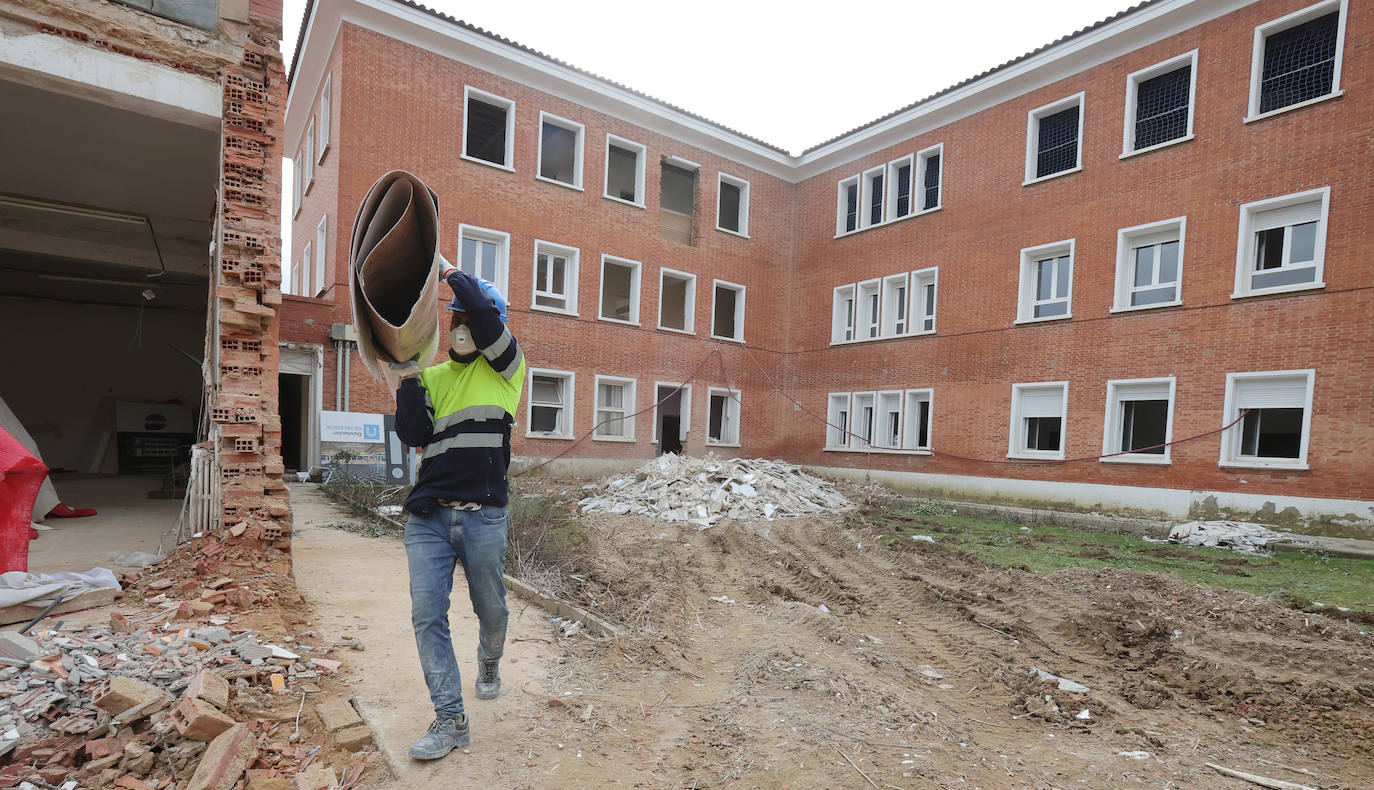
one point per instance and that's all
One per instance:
(358, 587)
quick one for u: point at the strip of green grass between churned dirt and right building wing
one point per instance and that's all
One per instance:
(1300, 579)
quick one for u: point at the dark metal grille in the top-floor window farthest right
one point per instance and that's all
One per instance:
(1299, 64)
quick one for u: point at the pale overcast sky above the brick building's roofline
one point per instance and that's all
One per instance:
(793, 75)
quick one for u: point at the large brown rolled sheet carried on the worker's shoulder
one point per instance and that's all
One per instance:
(394, 274)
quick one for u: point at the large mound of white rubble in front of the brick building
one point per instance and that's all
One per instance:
(704, 491)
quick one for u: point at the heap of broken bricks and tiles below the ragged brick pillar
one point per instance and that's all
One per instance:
(181, 699)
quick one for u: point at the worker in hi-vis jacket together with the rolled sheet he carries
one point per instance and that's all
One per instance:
(461, 413)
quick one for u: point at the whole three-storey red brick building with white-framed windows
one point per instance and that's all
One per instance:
(1129, 270)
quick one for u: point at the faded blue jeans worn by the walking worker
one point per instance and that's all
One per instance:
(435, 545)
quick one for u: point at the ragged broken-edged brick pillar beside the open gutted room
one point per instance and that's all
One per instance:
(244, 321)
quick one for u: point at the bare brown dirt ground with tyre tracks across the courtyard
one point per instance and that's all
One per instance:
(803, 655)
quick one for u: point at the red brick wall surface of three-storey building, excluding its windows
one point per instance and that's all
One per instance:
(398, 106)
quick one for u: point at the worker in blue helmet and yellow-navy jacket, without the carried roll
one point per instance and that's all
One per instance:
(461, 413)
